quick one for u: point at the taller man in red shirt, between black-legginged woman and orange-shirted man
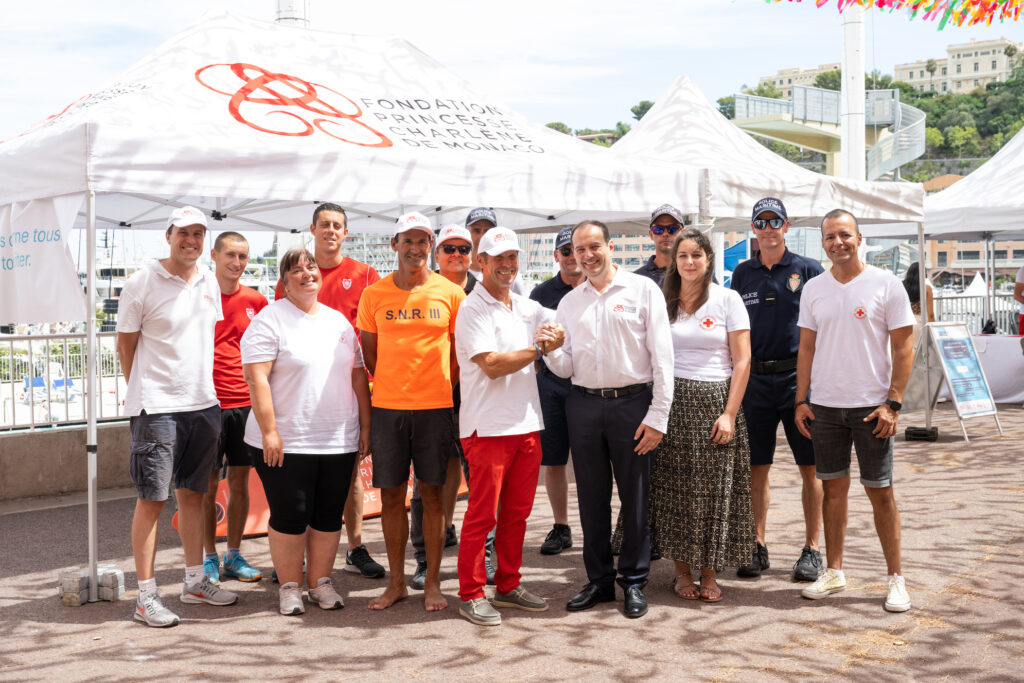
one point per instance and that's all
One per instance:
(344, 282)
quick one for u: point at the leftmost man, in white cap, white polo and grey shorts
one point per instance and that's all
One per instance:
(165, 344)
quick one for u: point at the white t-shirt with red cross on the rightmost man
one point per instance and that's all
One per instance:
(852, 365)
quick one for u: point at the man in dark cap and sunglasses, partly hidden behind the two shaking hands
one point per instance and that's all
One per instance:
(554, 391)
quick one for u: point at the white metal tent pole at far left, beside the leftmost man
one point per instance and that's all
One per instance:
(91, 390)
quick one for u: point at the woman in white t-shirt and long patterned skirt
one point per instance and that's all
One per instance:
(701, 511)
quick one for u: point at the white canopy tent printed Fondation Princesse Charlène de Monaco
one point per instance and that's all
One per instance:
(254, 123)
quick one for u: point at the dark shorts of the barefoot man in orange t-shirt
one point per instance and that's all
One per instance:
(421, 439)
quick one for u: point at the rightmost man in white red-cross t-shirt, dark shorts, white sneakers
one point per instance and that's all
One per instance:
(857, 350)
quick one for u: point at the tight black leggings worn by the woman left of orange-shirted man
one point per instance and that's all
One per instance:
(307, 490)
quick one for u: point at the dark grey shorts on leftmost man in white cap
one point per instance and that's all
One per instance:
(172, 451)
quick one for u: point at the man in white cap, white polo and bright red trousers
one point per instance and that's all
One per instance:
(500, 429)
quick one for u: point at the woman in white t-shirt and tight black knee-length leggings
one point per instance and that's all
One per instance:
(309, 426)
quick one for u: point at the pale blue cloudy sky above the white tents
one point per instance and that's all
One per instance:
(583, 63)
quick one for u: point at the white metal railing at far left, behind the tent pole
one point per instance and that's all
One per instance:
(42, 380)
